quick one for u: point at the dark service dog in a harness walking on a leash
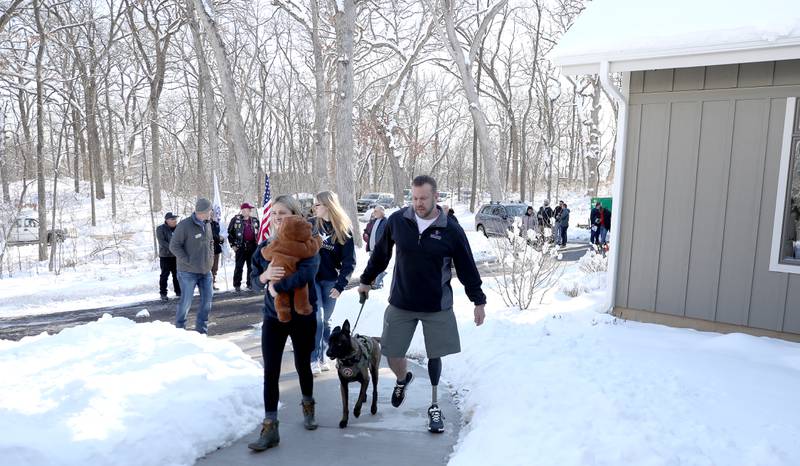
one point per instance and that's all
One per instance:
(357, 358)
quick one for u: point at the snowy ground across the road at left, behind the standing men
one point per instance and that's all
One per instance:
(109, 264)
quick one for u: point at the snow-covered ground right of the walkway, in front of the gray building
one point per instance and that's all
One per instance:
(566, 384)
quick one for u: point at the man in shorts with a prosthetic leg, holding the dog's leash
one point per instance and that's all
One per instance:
(427, 241)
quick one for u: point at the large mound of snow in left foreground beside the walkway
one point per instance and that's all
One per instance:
(113, 392)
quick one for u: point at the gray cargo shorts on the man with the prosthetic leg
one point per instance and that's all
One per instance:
(439, 328)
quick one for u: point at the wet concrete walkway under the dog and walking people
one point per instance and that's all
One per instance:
(394, 436)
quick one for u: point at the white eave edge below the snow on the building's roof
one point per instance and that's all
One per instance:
(686, 58)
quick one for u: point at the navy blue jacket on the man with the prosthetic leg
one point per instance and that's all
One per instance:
(422, 271)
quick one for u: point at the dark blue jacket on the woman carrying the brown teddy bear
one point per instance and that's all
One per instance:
(306, 271)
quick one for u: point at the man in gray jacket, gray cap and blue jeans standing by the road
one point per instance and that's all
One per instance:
(193, 246)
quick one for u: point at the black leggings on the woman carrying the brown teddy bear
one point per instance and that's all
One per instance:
(273, 339)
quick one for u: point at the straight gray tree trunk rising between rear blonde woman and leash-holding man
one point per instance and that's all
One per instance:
(345, 179)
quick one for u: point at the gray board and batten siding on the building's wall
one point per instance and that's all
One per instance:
(701, 175)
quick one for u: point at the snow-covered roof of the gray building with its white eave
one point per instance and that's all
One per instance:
(651, 34)
